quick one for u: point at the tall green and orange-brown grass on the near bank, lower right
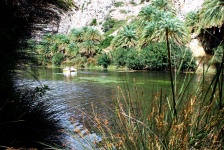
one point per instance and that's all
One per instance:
(151, 124)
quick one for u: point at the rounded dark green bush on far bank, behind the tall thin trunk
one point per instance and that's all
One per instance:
(155, 57)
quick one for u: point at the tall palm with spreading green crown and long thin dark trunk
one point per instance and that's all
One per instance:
(169, 28)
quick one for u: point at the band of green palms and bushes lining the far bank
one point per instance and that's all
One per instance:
(135, 46)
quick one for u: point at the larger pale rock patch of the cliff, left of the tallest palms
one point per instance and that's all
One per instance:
(99, 10)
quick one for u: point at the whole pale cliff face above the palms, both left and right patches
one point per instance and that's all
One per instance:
(117, 9)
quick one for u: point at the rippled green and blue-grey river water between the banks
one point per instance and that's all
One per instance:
(77, 94)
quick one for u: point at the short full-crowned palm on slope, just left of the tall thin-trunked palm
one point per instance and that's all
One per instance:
(126, 38)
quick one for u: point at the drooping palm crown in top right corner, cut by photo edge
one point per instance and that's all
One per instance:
(212, 13)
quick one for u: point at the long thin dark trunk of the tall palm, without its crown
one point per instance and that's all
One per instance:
(171, 75)
